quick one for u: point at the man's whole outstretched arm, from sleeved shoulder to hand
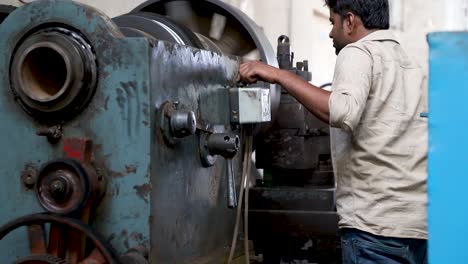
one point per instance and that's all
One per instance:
(351, 86)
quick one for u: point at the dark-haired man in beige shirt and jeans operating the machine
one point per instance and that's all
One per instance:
(377, 97)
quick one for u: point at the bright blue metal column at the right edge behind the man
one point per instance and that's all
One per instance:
(448, 143)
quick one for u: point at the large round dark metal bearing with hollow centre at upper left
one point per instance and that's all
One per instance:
(53, 73)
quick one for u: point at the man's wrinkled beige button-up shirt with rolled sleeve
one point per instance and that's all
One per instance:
(380, 148)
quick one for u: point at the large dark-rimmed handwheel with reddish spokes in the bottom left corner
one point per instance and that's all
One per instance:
(66, 241)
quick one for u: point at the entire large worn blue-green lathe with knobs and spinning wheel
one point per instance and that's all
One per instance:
(143, 105)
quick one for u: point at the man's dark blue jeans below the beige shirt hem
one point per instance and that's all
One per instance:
(363, 248)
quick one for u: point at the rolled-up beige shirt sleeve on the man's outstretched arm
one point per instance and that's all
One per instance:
(350, 89)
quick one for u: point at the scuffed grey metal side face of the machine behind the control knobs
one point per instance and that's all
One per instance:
(190, 218)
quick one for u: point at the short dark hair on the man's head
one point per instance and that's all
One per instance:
(374, 14)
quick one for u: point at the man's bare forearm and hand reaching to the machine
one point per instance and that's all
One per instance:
(312, 97)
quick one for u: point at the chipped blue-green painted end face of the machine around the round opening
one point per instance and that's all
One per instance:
(117, 119)
